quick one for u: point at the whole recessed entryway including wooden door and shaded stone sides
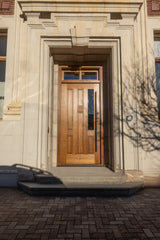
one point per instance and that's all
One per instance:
(70, 68)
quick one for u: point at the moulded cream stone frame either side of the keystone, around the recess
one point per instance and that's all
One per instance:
(48, 98)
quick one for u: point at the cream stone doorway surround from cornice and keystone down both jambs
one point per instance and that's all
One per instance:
(62, 28)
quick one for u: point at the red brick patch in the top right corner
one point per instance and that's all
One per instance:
(153, 7)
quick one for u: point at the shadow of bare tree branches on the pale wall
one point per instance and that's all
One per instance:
(140, 109)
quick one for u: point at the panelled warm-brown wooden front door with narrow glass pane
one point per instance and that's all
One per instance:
(79, 120)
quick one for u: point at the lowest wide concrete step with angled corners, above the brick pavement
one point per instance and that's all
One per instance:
(98, 190)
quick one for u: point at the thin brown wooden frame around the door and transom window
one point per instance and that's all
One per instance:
(100, 72)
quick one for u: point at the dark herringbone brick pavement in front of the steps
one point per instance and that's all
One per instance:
(125, 218)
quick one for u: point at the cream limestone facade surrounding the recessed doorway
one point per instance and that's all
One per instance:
(37, 33)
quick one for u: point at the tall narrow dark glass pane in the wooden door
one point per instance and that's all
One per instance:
(90, 109)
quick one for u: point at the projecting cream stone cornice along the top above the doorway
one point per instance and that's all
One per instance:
(74, 6)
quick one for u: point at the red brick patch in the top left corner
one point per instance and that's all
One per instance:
(7, 7)
